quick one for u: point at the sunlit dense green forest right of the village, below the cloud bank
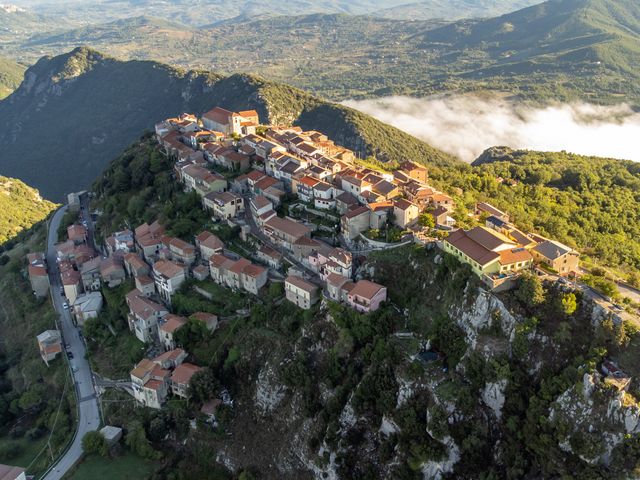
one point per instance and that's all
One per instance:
(589, 203)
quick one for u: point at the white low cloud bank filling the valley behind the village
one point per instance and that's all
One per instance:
(467, 125)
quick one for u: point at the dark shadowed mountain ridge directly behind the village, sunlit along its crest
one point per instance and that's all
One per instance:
(75, 112)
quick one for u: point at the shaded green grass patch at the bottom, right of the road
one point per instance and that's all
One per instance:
(127, 466)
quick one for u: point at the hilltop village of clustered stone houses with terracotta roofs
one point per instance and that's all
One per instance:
(311, 212)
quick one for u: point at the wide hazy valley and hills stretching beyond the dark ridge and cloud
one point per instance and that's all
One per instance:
(561, 50)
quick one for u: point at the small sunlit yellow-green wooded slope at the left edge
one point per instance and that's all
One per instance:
(20, 207)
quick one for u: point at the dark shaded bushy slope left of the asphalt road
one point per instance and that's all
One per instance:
(36, 401)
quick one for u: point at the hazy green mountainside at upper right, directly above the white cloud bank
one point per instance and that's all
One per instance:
(563, 49)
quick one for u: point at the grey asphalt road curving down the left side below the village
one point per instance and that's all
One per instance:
(89, 416)
